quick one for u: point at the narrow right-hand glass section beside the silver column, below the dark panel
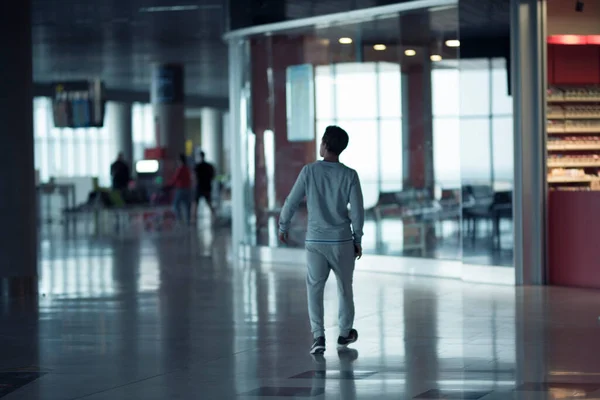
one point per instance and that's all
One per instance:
(486, 140)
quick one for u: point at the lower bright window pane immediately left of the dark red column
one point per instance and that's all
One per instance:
(390, 141)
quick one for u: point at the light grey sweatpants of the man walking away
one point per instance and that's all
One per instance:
(321, 258)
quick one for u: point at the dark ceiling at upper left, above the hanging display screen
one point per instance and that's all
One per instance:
(118, 40)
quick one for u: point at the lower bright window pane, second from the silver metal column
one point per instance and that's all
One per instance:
(475, 151)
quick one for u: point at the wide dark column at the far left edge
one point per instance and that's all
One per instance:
(18, 236)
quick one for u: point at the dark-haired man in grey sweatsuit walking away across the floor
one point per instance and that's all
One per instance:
(333, 238)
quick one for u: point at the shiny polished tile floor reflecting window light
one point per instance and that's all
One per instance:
(174, 318)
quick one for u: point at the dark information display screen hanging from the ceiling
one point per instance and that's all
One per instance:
(78, 104)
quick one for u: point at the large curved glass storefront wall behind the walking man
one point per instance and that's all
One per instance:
(430, 139)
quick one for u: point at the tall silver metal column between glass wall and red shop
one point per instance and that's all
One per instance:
(529, 81)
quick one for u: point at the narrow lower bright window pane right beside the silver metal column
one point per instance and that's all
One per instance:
(503, 151)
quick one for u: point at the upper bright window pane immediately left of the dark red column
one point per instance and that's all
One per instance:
(390, 91)
